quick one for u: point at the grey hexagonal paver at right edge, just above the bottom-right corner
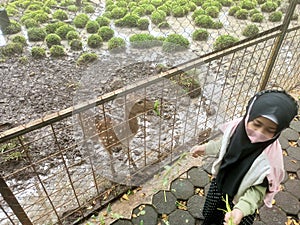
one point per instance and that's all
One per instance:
(287, 202)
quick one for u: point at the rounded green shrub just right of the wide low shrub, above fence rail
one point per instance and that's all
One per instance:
(175, 42)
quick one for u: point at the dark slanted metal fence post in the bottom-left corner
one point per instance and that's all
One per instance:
(13, 203)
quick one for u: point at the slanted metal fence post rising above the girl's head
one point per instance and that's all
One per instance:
(277, 45)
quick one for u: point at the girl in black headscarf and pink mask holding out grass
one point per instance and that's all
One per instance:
(249, 167)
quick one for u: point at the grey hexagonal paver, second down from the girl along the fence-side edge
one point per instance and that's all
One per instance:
(182, 188)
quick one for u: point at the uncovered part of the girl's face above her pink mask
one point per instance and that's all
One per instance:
(264, 126)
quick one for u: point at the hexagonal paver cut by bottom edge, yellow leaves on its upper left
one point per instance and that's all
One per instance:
(144, 214)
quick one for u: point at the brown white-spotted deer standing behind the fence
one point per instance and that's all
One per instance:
(113, 135)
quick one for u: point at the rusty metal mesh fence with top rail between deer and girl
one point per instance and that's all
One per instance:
(80, 174)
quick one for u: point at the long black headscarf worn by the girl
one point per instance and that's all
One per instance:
(241, 153)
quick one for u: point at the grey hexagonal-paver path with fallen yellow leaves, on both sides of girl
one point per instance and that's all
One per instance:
(182, 203)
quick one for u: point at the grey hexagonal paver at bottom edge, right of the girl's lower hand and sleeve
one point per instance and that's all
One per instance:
(272, 216)
